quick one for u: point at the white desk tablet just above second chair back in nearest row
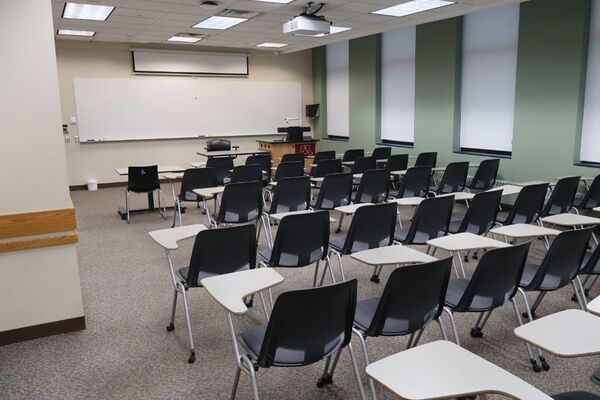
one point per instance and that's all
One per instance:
(390, 255)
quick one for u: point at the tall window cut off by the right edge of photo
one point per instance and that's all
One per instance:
(590, 134)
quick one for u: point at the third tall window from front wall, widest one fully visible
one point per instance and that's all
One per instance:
(489, 73)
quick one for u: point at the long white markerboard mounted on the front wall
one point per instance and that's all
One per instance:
(143, 108)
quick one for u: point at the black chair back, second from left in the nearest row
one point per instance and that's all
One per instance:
(413, 296)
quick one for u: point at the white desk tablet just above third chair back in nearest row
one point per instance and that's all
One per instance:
(464, 241)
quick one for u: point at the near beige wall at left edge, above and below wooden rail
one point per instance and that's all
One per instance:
(42, 285)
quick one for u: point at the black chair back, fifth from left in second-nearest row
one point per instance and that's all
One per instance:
(481, 214)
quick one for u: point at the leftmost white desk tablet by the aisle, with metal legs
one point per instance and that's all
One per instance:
(169, 240)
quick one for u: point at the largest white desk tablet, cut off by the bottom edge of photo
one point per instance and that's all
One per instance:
(444, 370)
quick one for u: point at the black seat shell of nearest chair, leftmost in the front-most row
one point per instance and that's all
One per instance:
(313, 323)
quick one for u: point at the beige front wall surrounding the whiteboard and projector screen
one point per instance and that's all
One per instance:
(98, 160)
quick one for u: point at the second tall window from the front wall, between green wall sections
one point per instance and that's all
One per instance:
(398, 86)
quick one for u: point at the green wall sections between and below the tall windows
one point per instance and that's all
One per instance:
(551, 66)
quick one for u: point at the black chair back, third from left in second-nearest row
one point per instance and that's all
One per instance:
(371, 227)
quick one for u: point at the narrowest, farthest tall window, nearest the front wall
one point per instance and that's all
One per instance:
(338, 90)
